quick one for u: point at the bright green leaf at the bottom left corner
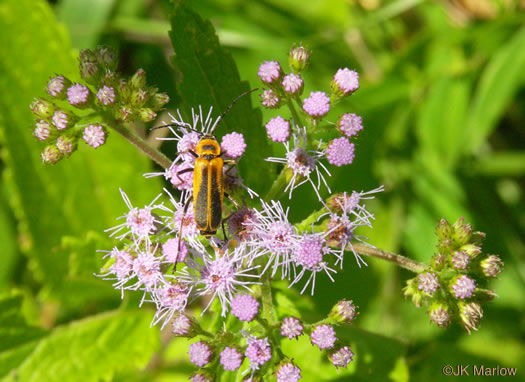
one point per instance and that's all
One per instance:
(91, 349)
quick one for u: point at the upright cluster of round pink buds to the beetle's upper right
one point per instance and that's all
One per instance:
(304, 154)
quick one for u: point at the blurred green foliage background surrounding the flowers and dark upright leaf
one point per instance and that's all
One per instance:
(443, 103)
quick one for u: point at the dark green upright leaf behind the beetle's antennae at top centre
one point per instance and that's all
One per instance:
(208, 76)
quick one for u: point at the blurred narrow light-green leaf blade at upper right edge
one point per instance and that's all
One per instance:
(500, 80)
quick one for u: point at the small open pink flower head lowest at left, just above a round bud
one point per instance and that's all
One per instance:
(170, 299)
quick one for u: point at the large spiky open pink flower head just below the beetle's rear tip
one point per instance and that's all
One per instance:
(220, 276)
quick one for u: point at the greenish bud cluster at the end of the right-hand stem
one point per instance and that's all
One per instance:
(455, 284)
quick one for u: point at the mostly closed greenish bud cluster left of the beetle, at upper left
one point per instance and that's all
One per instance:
(84, 111)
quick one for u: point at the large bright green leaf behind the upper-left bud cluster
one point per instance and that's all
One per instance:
(79, 194)
